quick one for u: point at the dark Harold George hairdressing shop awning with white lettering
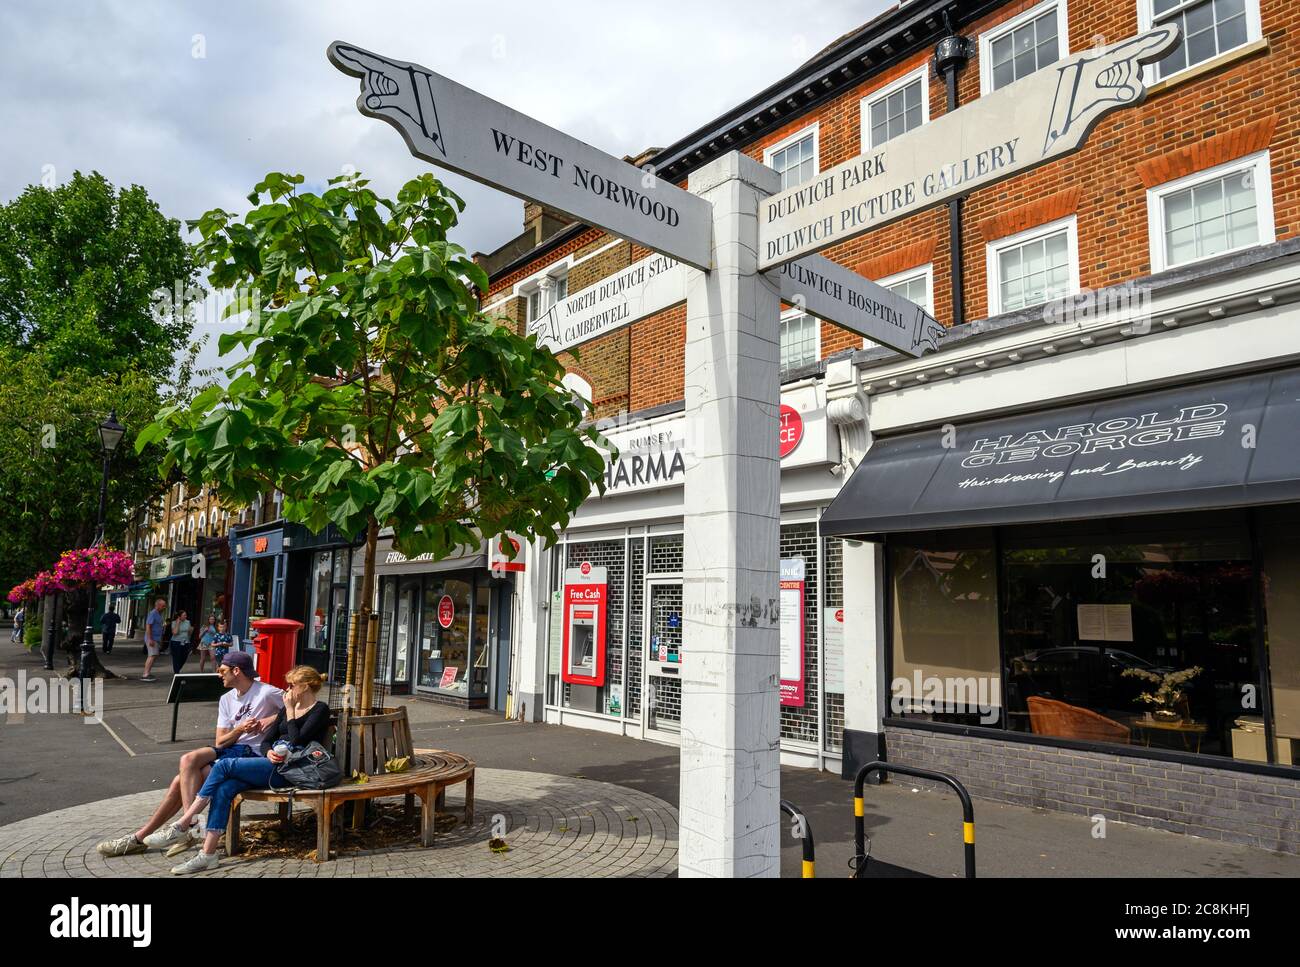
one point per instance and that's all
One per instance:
(1225, 444)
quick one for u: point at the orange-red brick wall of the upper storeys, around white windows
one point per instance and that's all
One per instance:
(1103, 185)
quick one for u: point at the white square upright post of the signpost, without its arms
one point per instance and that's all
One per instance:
(730, 714)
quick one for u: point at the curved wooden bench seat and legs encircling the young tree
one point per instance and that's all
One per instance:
(428, 777)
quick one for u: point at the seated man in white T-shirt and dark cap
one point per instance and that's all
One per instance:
(245, 716)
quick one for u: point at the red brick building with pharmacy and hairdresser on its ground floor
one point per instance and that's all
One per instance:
(1159, 270)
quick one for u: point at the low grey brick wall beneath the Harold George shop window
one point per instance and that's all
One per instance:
(1238, 808)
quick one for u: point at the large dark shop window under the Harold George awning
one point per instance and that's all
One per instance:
(1133, 632)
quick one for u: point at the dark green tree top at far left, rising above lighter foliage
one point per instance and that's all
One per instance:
(90, 276)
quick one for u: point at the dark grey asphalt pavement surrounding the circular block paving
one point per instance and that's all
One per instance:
(51, 762)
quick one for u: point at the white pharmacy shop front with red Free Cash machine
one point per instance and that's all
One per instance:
(613, 639)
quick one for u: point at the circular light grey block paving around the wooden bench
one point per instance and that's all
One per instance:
(556, 826)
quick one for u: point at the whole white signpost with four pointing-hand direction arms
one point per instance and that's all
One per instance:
(734, 271)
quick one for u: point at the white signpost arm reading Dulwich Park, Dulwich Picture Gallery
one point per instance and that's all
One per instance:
(1024, 125)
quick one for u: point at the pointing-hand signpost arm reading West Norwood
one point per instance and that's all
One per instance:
(456, 128)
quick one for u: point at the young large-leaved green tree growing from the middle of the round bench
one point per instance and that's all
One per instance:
(375, 394)
